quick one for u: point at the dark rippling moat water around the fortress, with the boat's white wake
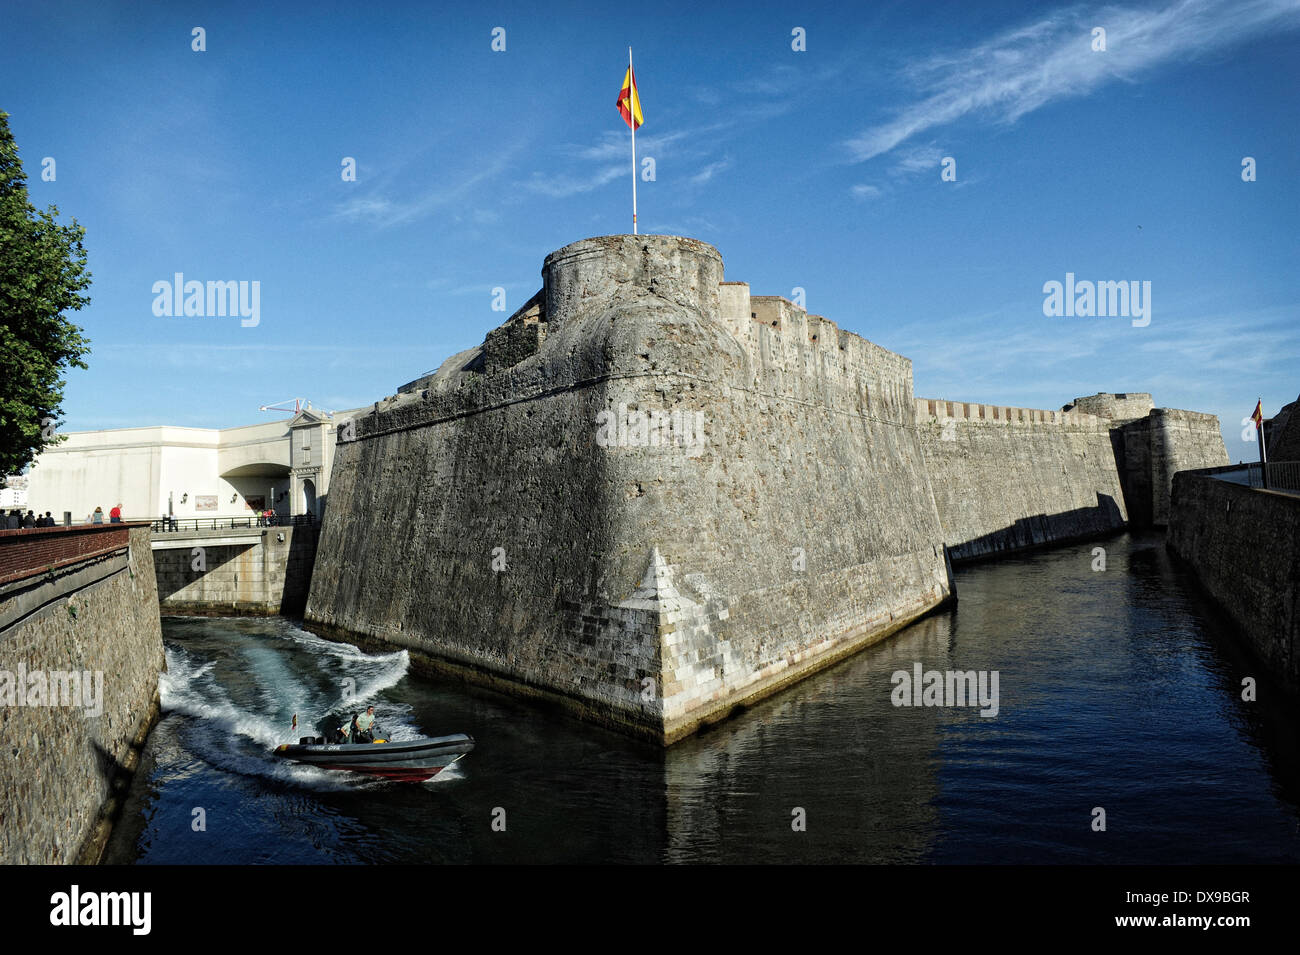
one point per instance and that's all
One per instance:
(1117, 689)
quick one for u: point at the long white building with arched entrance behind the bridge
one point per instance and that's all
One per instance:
(189, 472)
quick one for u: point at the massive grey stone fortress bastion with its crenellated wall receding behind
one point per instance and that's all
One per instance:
(658, 580)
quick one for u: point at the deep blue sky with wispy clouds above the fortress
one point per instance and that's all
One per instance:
(816, 170)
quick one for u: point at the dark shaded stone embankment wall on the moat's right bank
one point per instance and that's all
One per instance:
(1245, 548)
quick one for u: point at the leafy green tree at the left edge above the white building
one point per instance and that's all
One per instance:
(42, 276)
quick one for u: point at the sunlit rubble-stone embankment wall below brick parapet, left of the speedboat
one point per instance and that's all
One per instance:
(60, 761)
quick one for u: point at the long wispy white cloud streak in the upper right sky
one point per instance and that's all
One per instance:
(1052, 59)
